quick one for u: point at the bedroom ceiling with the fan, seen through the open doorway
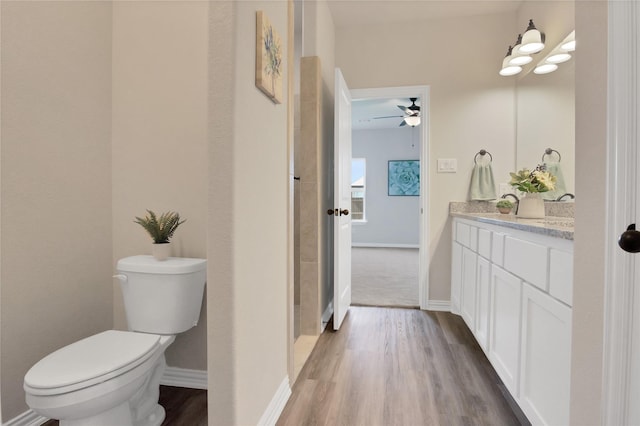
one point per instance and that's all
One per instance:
(363, 111)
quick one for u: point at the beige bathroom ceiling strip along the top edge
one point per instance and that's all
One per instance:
(350, 13)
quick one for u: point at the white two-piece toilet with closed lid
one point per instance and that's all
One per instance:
(113, 378)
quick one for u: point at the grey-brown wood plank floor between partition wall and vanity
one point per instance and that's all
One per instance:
(399, 367)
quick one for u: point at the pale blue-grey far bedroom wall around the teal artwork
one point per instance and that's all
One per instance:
(390, 220)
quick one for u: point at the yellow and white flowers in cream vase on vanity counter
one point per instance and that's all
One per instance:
(532, 183)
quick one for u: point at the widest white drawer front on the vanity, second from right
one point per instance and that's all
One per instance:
(527, 260)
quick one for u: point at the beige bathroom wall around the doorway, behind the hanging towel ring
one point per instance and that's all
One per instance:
(471, 106)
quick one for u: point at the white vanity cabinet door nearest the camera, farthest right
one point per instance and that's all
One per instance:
(546, 358)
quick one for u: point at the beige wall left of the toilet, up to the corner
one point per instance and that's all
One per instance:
(56, 182)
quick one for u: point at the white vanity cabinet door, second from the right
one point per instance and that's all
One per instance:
(504, 327)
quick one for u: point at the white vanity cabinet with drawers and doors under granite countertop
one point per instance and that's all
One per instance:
(513, 289)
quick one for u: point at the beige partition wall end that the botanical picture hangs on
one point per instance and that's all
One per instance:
(247, 219)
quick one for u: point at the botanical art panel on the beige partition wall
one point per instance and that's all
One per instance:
(269, 65)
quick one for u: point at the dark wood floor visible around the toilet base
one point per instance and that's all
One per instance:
(183, 406)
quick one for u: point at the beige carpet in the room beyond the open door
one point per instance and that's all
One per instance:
(384, 276)
